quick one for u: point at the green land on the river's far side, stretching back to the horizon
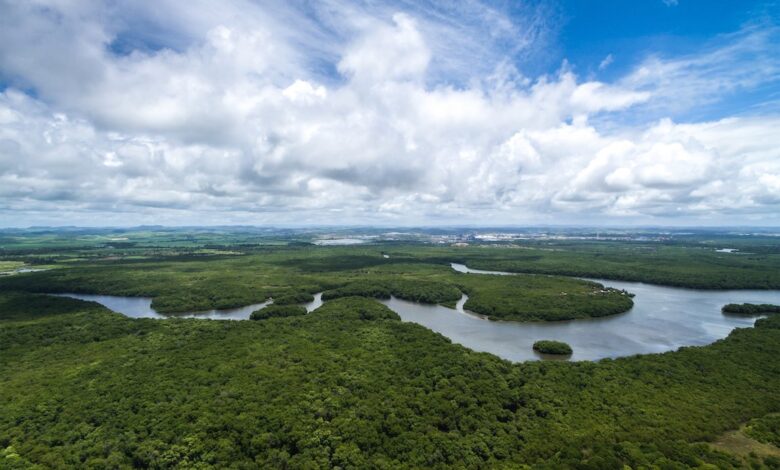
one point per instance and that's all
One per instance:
(201, 270)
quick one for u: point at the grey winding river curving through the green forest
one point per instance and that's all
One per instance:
(662, 319)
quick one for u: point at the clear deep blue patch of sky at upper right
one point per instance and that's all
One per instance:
(628, 32)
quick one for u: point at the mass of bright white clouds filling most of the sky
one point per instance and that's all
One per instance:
(235, 125)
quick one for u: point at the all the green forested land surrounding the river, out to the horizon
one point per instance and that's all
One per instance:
(349, 385)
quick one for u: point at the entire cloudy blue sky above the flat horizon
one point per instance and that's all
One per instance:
(300, 112)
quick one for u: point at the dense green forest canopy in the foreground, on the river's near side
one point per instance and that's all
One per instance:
(349, 385)
